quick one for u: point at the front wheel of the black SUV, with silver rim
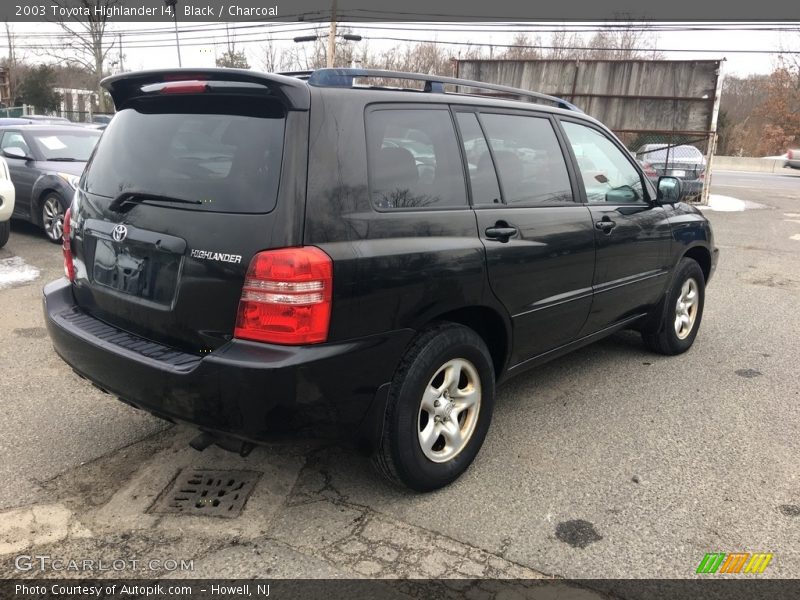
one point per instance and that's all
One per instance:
(681, 311)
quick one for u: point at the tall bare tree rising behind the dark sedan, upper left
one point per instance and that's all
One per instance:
(89, 40)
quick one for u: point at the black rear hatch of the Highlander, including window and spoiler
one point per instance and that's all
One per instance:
(197, 172)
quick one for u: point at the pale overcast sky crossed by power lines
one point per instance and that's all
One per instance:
(197, 49)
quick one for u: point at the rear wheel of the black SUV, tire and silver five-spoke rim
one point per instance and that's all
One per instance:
(439, 410)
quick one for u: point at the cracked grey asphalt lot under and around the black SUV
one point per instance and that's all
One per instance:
(608, 463)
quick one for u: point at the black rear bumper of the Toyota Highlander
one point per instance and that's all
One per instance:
(243, 389)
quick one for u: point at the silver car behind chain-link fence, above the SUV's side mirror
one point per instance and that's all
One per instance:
(684, 162)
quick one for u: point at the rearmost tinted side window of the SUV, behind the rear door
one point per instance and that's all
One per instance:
(413, 159)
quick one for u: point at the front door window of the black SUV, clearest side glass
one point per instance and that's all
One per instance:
(608, 175)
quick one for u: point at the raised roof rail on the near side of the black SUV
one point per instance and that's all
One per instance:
(433, 83)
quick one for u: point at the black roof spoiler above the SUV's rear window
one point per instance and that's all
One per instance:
(292, 92)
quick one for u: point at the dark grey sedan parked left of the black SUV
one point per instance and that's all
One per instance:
(45, 162)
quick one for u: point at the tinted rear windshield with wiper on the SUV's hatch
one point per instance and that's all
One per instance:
(225, 152)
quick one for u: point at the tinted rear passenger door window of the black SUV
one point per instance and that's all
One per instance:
(529, 160)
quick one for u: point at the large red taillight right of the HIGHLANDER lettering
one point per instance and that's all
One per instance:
(286, 298)
